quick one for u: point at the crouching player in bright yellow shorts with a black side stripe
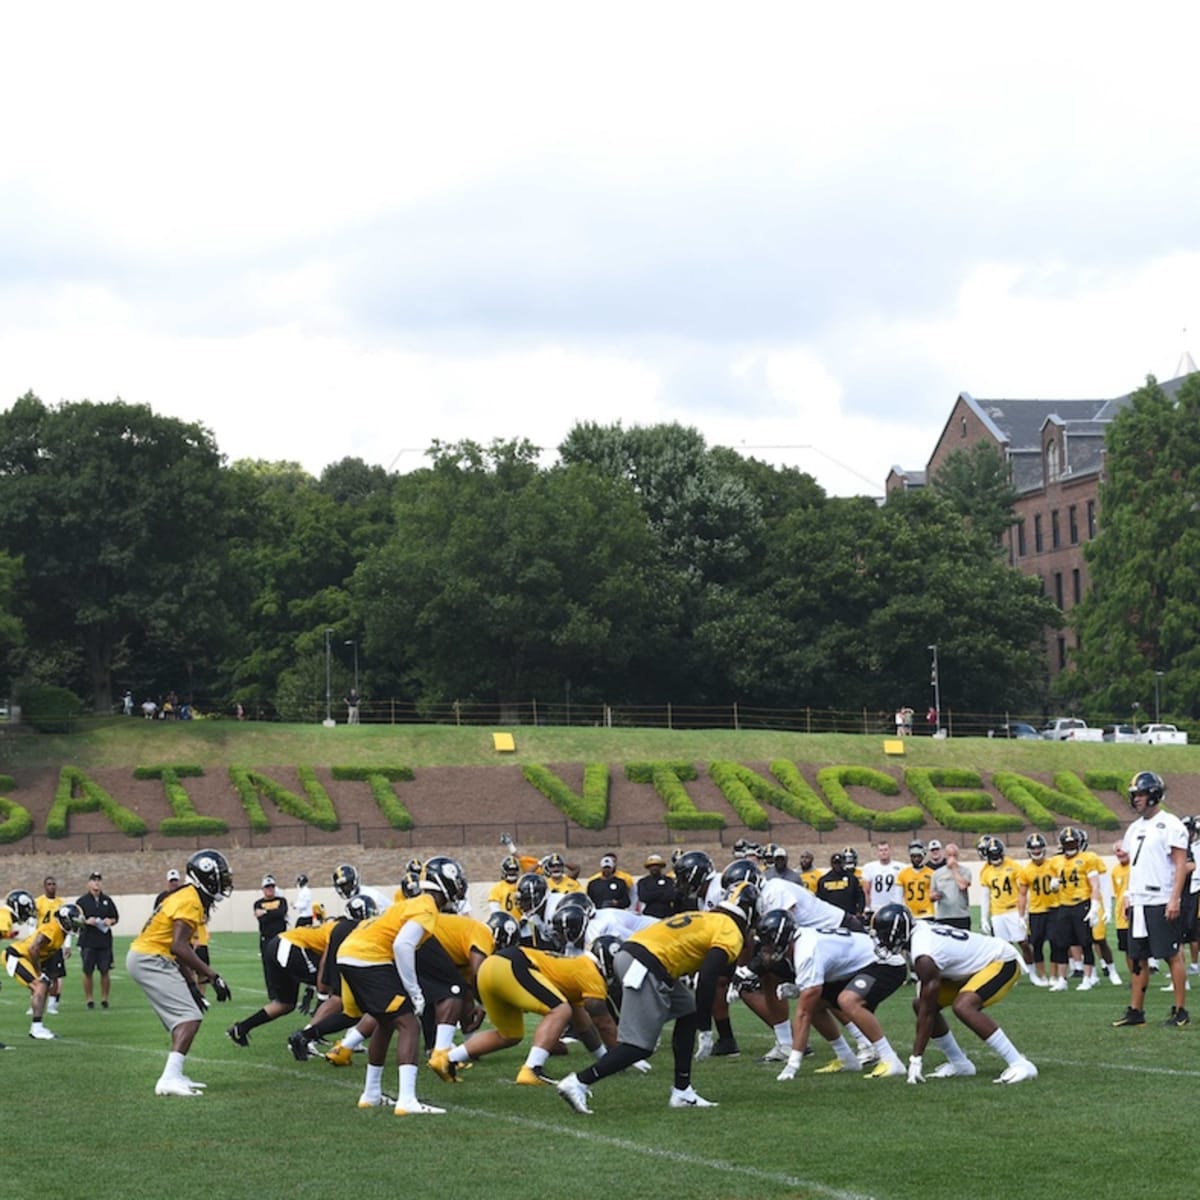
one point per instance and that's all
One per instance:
(565, 991)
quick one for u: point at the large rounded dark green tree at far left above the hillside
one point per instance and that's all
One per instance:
(118, 514)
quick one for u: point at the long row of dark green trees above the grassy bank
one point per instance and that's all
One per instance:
(641, 567)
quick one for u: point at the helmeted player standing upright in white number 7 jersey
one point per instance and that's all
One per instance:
(1157, 845)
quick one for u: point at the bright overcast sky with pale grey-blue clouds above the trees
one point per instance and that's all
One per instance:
(352, 230)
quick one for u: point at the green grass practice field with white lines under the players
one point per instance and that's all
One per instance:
(1112, 1114)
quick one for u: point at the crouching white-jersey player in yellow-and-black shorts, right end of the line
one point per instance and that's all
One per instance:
(961, 970)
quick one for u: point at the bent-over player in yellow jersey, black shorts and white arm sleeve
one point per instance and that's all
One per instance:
(379, 967)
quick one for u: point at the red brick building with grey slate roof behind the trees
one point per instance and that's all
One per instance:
(1055, 449)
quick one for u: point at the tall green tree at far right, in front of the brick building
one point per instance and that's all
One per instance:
(1143, 613)
